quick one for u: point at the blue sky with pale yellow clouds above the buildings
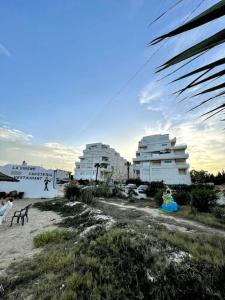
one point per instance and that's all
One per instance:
(74, 72)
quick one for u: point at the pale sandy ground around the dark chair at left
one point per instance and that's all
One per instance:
(16, 241)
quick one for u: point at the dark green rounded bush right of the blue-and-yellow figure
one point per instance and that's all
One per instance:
(203, 200)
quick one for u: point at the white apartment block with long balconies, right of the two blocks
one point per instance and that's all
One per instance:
(159, 158)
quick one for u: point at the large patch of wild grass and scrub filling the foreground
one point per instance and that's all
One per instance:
(122, 263)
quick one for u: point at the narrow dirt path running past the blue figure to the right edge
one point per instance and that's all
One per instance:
(171, 222)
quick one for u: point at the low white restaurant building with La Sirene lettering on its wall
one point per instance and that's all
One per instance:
(34, 181)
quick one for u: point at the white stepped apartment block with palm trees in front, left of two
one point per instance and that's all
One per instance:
(102, 154)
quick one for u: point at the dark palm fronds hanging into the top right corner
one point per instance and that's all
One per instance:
(198, 49)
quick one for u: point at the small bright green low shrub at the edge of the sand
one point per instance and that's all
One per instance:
(51, 236)
